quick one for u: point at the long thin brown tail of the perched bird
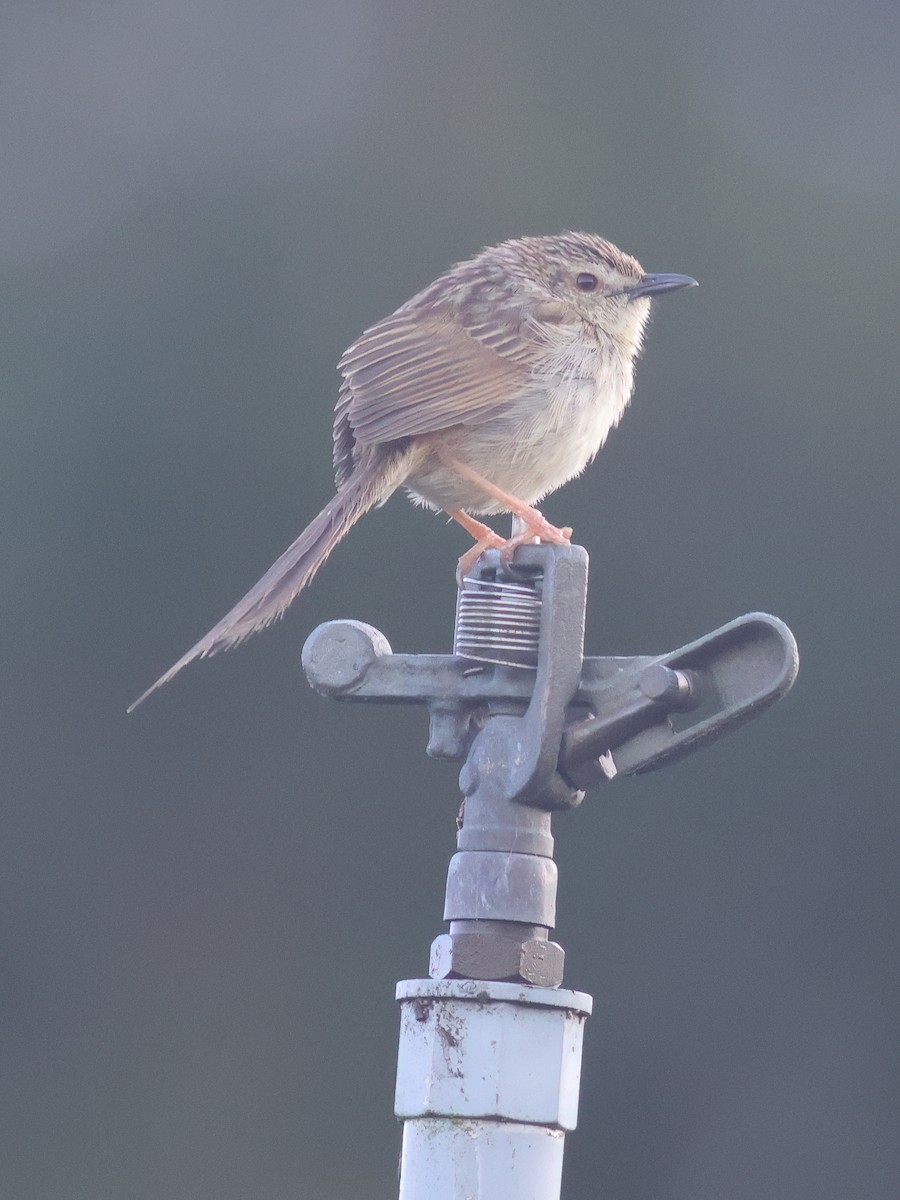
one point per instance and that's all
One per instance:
(370, 484)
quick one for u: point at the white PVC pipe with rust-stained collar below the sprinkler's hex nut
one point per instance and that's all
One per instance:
(488, 1085)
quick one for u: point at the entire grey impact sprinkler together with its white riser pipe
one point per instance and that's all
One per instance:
(490, 1051)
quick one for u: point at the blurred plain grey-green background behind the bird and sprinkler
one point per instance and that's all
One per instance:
(206, 905)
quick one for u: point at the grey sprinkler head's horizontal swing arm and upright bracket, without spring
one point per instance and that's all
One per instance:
(614, 709)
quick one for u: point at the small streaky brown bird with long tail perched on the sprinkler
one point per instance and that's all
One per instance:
(484, 393)
